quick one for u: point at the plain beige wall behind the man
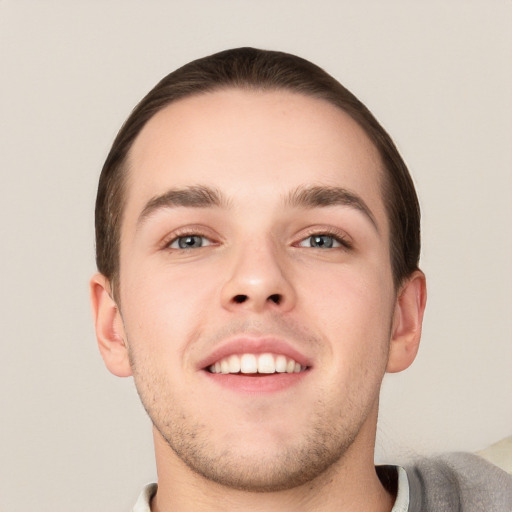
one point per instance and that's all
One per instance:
(437, 74)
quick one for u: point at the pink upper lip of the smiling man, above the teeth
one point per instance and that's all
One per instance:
(251, 345)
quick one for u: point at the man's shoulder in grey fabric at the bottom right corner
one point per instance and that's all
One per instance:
(458, 482)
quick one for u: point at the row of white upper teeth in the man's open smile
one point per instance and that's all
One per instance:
(252, 363)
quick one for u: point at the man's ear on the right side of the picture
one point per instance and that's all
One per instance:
(407, 321)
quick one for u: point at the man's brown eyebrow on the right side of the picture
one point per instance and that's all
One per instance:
(325, 196)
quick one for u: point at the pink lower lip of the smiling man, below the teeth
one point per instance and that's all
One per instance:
(257, 383)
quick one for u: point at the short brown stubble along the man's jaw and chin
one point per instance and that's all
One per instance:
(294, 464)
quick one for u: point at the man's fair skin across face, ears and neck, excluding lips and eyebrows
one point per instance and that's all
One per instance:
(310, 445)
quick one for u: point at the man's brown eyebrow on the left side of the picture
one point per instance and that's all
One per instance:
(196, 196)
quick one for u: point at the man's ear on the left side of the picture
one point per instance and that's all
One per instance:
(109, 327)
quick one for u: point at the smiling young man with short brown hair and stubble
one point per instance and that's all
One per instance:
(258, 244)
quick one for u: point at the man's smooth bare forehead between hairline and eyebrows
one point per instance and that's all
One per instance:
(251, 143)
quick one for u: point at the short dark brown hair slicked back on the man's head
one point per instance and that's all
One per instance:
(249, 68)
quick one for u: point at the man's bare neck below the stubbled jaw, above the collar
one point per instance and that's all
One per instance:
(349, 484)
